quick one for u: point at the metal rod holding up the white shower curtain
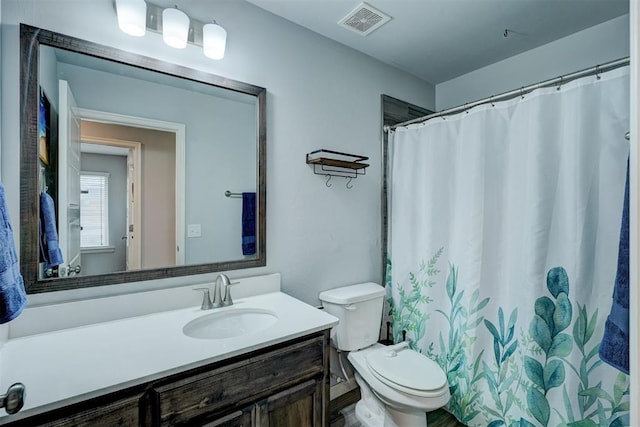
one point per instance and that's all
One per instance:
(519, 92)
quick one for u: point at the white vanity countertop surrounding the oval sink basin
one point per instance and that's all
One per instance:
(81, 361)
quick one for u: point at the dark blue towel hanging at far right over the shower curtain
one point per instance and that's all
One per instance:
(614, 348)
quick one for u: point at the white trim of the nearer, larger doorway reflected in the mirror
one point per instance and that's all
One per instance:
(179, 129)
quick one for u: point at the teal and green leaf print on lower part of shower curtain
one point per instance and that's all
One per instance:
(522, 389)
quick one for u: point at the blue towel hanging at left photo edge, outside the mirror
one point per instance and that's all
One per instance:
(13, 298)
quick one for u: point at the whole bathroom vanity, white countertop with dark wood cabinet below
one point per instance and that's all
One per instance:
(144, 371)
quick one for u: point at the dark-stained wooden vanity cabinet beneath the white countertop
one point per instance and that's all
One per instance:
(285, 385)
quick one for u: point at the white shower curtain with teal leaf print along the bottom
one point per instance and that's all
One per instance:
(504, 224)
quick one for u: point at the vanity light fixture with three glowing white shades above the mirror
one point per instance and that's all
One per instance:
(176, 27)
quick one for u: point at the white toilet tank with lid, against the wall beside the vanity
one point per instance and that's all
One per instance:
(359, 308)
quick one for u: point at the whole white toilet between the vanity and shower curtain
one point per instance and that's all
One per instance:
(398, 385)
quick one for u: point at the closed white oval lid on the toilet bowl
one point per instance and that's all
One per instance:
(408, 371)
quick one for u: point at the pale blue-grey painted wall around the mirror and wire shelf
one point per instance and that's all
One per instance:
(320, 95)
